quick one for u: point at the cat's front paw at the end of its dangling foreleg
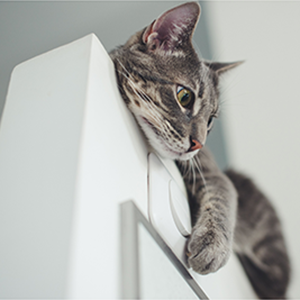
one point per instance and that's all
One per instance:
(207, 249)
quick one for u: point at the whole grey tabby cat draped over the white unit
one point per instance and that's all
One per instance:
(173, 96)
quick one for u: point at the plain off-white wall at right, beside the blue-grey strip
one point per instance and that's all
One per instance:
(262, 102)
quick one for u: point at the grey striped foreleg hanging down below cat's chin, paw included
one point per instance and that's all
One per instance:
(213, 202)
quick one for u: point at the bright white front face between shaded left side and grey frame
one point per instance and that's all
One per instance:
(111, 149)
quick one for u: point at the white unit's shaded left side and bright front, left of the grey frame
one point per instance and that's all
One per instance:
(67, 142)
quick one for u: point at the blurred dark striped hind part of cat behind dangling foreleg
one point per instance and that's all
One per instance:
(259, 241)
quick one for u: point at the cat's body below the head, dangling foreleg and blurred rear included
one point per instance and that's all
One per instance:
(257, 235)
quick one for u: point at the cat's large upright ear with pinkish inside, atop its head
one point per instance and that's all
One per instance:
(173, 28)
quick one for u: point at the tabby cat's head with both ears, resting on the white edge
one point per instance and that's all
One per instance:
(170, 91)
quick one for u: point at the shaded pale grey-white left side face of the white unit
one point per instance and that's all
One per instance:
(39, 148)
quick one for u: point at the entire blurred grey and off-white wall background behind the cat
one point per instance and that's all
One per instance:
(259, 125)
